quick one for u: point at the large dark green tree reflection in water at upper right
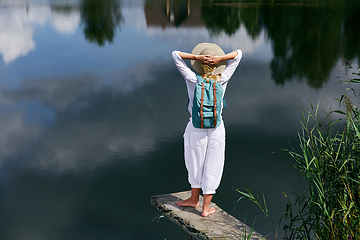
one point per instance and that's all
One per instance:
(307, 39)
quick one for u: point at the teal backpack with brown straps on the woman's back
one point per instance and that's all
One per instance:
(207, 103)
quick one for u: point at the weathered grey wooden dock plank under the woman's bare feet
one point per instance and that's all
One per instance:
(219, 225)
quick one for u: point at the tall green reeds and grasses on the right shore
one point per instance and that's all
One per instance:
(329, 160)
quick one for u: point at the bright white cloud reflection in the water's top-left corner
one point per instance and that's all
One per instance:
(17, 26)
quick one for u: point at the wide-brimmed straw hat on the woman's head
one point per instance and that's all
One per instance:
(212, 49)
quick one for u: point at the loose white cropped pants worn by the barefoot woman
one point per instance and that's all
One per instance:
(204, 151)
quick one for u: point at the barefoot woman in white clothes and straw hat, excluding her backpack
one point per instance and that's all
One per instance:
(204, 149)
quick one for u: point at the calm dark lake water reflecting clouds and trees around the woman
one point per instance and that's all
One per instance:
(92, 108)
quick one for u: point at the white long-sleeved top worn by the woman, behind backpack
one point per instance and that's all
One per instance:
(190, 76)
